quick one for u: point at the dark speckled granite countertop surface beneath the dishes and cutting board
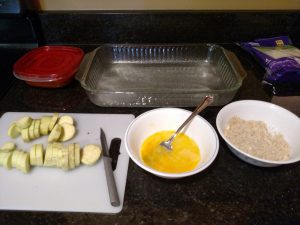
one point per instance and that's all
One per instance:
(228, 192)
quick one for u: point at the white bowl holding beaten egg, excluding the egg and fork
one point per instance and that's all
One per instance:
(161, 119)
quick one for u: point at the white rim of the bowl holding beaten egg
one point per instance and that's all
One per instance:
(172, 175)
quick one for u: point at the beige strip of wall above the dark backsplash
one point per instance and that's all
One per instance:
(168, 5)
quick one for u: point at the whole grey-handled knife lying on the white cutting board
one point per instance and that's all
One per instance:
(110, 179)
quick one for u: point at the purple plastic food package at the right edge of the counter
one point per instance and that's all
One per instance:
(281, 61)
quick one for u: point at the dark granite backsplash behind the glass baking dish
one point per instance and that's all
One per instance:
(97, 27)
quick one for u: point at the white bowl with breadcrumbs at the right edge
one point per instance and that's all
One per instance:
(260, 133)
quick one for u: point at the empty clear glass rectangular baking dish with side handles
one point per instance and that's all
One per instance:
(159, 75)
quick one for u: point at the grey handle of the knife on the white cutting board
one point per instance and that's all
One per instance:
(111, 184)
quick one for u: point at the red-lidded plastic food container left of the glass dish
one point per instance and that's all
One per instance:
(49, 66)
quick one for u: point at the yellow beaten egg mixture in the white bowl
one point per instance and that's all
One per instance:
(184, 156)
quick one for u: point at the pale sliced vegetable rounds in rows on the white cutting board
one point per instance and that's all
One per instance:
(56, 154)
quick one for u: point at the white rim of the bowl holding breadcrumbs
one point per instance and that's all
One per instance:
(239, 150)
